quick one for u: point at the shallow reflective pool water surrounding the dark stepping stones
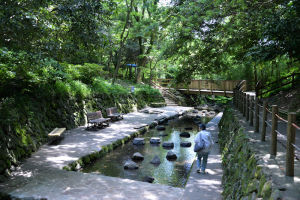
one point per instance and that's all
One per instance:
(173, 173)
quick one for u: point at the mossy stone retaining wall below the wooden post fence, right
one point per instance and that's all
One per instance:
(243, 178)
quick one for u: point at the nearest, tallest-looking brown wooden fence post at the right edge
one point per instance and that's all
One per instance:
(290, 150)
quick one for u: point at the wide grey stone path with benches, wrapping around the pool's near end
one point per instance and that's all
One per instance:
(41, 176)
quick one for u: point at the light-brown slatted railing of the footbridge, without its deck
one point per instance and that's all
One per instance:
(219, 85)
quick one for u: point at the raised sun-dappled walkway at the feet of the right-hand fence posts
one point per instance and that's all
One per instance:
(286, 187)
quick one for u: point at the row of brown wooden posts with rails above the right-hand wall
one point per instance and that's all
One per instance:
(249, 107)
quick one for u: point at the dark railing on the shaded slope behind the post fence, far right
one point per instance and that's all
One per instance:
(262, 88)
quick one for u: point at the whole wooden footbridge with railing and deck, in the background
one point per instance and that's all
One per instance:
(204, 87)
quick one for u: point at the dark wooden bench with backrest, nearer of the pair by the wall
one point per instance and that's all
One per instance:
(96, 120)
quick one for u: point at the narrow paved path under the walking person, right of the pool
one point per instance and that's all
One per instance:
(207, 186)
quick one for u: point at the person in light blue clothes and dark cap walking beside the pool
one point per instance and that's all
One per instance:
(202, 155)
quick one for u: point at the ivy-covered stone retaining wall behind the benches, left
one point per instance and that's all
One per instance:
(26, 120)
